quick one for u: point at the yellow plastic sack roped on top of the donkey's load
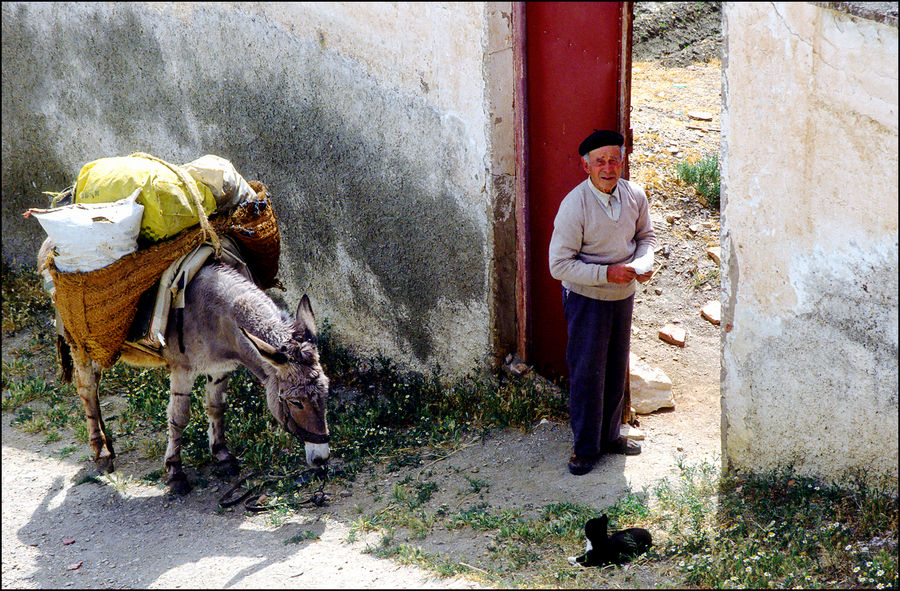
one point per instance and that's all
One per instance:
(168, 206)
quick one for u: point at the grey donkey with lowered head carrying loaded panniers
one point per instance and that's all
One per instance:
(227, 321)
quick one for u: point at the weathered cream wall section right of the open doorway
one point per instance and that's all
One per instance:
(809, 241)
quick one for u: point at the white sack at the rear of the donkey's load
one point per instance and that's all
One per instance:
(90, 236)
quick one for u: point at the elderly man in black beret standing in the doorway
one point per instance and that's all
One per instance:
(602, 242)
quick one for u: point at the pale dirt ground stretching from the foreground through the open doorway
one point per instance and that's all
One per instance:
(124, 533)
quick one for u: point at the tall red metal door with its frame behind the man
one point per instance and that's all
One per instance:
(573, 75)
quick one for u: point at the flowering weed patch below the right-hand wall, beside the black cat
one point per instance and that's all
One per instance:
(781, 530)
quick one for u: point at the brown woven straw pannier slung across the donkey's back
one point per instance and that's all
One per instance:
(98, 307)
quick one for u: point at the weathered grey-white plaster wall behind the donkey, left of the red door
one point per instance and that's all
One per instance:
(370, 124)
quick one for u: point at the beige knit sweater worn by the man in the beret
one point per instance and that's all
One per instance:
(585, 241)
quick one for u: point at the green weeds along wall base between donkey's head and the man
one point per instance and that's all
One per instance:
(381, 411)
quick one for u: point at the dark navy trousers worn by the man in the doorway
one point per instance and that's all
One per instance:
(597, 356)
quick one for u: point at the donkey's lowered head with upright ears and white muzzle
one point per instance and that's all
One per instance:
(296, 386)
